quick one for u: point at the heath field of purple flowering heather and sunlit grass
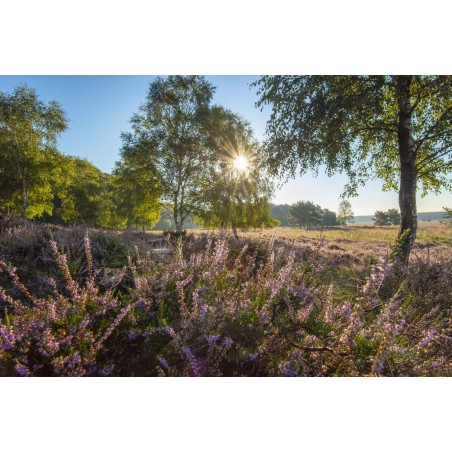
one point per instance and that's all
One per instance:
(280, 302)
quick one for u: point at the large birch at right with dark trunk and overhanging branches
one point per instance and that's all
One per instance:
(397, 128)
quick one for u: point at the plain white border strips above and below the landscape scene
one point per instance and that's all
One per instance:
(235, 37)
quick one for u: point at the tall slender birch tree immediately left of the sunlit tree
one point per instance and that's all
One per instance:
(170, 128)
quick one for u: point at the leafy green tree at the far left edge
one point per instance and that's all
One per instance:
(29, 129)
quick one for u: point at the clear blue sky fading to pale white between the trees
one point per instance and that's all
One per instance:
(99, 108)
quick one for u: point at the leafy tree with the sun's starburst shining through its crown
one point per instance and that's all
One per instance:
(235, 197)
